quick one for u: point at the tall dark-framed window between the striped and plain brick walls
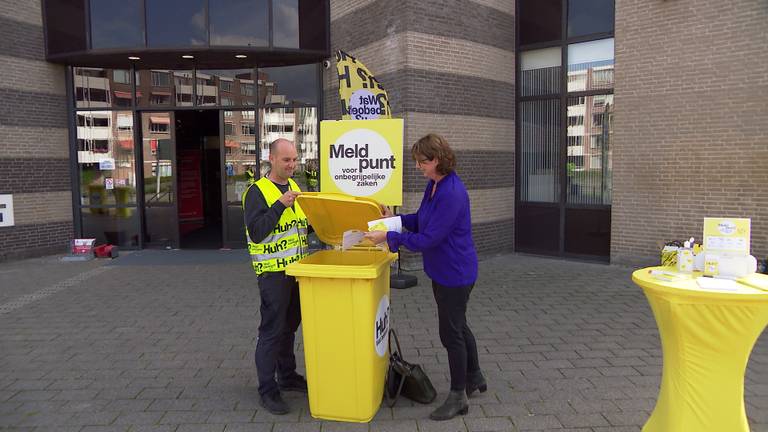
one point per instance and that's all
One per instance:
(565, 52)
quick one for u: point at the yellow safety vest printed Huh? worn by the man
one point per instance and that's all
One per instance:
(287, 243)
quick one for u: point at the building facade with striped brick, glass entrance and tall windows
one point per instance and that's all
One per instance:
(590, 129)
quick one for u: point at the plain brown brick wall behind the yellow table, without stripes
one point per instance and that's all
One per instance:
(691, 111)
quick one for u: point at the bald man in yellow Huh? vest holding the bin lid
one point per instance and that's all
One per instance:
(276, 229)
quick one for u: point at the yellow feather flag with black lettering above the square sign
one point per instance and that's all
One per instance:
(362, 96)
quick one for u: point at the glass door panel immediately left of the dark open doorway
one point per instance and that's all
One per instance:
(161, 226)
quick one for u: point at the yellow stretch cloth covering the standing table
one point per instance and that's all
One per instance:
(706, 337)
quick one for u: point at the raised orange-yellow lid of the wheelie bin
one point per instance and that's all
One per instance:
(330, 214)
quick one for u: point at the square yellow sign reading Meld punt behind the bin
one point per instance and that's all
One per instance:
(363, 158)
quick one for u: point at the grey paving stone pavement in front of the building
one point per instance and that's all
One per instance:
(157, 344)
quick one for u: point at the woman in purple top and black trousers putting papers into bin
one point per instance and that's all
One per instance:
(442, 231)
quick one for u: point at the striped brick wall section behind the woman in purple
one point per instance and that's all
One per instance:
(448, 67)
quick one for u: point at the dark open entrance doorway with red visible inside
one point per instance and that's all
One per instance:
(198, 158)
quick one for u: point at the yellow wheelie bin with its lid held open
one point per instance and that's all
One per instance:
(344, 311)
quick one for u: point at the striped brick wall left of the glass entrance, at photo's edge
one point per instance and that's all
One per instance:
(34, 157)
